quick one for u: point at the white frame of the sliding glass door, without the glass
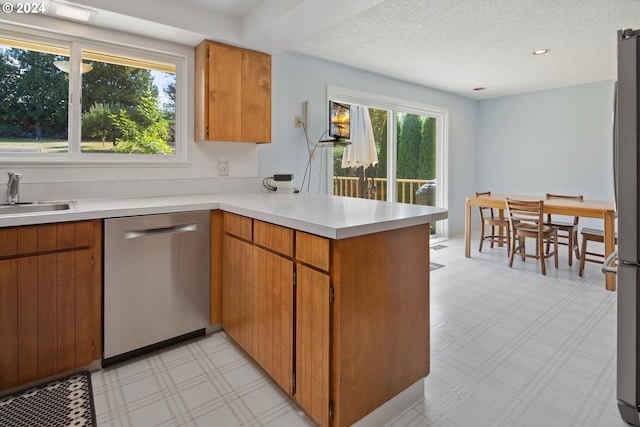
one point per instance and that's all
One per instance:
(393, 105)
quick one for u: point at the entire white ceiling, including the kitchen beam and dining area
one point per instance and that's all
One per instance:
(450, 45)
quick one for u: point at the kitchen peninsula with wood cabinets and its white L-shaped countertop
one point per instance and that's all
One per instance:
(350, 332)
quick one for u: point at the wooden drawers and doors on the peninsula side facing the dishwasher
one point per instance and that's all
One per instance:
(263, 304)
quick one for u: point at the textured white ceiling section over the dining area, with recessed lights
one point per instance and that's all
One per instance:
(457, 46)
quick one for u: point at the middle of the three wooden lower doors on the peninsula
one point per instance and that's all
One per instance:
(273, 285)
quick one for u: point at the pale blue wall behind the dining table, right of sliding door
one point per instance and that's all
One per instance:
(556, 141)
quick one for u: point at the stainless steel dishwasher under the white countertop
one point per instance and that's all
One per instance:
(156, 281)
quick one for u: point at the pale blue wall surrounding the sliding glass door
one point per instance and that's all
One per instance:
(298, 78)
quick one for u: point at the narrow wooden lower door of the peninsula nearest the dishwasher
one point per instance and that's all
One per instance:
(237, 290)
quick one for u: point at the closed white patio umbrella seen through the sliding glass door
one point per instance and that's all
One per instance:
(362, 151)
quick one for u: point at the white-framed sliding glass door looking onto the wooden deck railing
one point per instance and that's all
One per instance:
(410, 142)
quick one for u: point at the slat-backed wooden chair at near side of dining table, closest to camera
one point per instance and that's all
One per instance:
(527, 221)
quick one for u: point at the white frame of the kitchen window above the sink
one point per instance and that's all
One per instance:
(75, 156)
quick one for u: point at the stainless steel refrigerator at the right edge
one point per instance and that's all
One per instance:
(627, 178)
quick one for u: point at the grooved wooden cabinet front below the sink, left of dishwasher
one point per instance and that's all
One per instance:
(46, 316)
